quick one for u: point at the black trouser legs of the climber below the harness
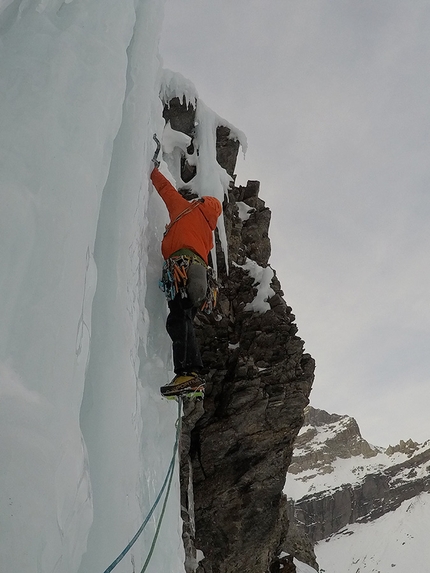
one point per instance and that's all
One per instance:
(179, 325)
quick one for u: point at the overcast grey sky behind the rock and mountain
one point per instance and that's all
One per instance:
(334, 97)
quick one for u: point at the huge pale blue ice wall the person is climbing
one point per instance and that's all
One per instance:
(86, 439)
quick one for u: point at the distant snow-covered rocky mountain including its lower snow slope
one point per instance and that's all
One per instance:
(341, 489)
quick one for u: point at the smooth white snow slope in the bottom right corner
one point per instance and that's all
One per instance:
(397, 541)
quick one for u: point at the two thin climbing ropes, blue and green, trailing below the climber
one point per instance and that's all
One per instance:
(167, 483)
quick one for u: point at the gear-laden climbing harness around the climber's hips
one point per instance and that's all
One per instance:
(174, 280)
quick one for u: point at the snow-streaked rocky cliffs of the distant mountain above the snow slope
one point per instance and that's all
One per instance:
(336, 479)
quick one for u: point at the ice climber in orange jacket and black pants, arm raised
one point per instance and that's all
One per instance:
(187, 242)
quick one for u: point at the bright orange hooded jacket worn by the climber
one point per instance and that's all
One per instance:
(194, 229)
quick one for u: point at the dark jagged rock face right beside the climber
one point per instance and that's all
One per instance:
(236, 454)
